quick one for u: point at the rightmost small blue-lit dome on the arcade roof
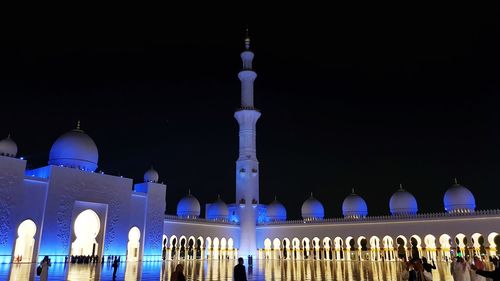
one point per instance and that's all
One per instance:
(459, 199)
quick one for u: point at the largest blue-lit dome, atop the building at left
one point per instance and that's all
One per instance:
(74, 149)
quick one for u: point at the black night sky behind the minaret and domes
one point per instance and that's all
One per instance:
(347, 100)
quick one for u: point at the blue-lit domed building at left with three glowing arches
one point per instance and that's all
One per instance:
(67, 208)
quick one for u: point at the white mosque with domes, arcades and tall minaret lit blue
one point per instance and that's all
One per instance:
(67, 208)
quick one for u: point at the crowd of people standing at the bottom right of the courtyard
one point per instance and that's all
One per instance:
(461, 269)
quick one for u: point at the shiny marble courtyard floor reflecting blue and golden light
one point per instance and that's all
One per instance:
(221, 270)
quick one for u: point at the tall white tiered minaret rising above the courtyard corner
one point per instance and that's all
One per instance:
(247, 165)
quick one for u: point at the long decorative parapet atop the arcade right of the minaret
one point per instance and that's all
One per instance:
(407, 217)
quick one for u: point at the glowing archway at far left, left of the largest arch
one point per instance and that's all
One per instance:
(23, 251)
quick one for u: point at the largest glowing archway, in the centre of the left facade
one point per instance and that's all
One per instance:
(86, 227)
